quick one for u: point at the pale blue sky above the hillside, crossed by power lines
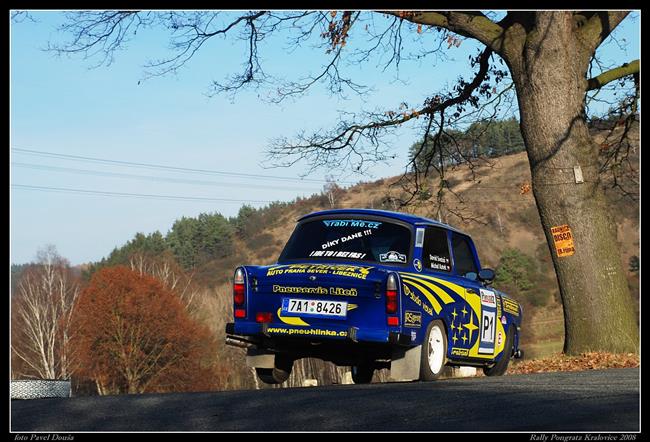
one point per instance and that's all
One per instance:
(60, 105)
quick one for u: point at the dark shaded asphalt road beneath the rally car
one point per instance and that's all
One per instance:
(599, 401)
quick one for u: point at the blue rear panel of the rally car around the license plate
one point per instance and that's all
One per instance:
(361, 287)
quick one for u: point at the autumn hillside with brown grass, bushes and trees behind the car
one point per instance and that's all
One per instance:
(190, 269)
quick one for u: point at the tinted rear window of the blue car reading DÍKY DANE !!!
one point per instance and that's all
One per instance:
(351, 239)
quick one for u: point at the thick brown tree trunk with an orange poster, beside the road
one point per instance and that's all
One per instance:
(549, 75)
